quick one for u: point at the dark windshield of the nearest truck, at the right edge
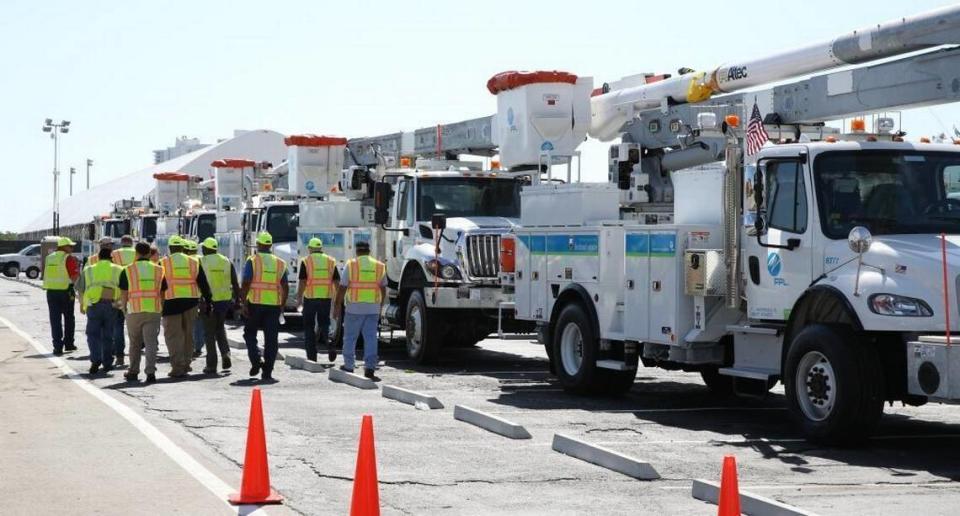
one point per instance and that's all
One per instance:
(888, 191)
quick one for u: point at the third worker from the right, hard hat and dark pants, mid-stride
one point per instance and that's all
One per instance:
(265, 291)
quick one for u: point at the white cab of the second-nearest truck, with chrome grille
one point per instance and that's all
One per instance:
(442, 245)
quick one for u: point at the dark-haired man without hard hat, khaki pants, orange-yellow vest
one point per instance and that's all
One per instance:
(140, 292)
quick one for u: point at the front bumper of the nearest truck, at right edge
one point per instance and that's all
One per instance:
(933, 368)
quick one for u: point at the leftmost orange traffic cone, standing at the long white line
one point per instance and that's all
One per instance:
(255, 485)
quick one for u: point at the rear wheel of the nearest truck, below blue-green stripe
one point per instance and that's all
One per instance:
(575, 351)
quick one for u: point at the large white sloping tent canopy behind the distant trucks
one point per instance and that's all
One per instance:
(258, 145)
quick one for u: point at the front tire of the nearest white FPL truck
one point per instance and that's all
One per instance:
(834, 385)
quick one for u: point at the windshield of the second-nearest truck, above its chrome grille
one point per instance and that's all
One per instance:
(469, 197)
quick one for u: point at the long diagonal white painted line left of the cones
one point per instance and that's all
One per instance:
(216, 486)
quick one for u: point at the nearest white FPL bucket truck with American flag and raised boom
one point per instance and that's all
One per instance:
(827, 262)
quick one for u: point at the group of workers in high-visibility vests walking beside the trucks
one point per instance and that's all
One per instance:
(184, 293)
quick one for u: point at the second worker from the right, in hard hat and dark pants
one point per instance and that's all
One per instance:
(318, 272)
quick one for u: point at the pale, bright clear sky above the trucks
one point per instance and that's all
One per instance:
(132, 76)
